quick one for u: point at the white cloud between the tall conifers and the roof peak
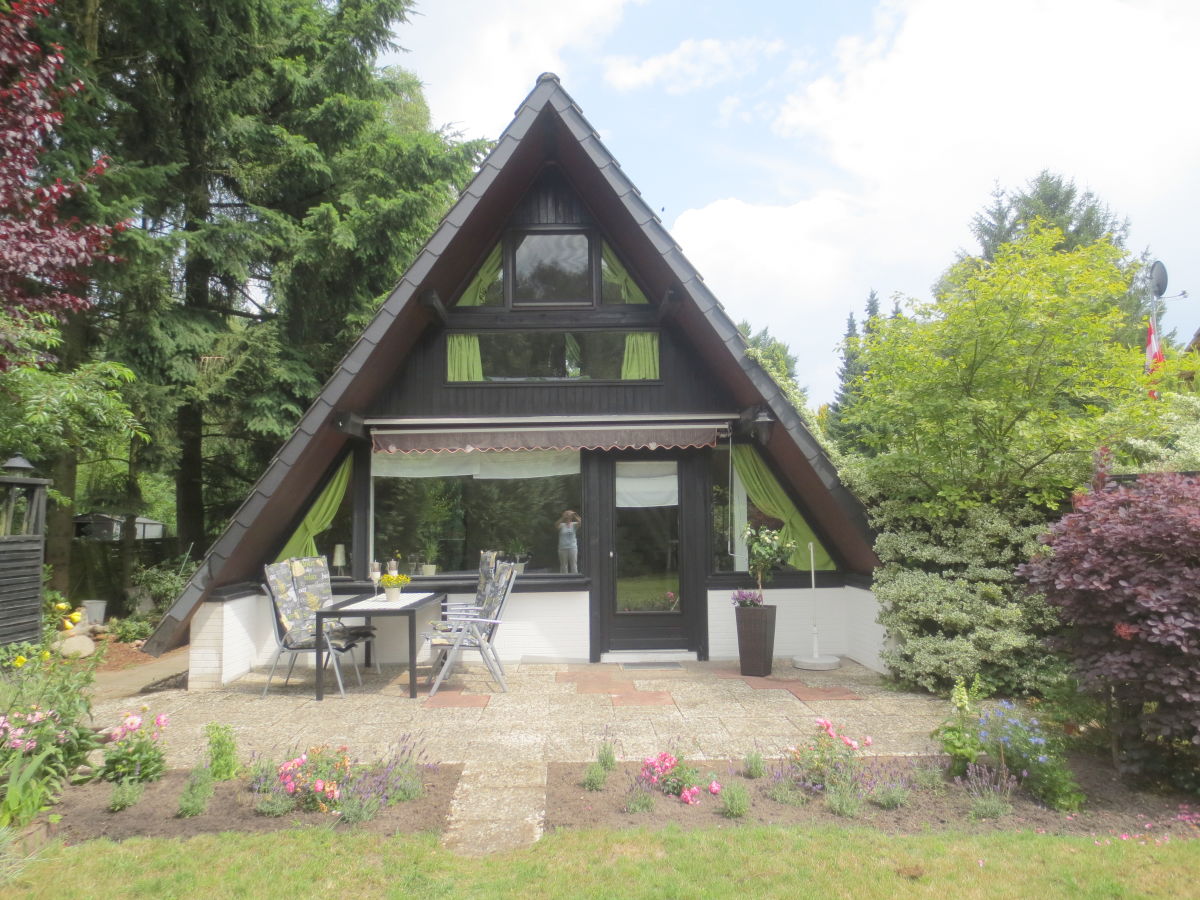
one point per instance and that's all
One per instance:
(479, 58)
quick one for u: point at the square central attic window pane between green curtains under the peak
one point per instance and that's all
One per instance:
(553, 269)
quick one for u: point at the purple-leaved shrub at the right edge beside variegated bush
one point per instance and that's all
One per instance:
(1124, 571)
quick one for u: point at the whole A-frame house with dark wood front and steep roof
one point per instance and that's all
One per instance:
(551, 350)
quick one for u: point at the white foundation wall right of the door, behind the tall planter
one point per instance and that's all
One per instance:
(845, 621)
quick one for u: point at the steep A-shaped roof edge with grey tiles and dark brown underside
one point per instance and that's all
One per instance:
(547, 125)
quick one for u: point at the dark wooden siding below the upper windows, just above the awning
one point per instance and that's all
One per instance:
(421, 391)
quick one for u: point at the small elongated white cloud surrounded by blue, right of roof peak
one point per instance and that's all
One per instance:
(691, 67)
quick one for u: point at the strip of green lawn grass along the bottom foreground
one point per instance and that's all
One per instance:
(715, 863)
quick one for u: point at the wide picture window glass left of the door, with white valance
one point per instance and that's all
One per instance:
(445, 508)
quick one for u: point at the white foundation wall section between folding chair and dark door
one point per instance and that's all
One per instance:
(545, 627)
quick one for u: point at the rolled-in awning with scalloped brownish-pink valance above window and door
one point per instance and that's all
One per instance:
(592, 437)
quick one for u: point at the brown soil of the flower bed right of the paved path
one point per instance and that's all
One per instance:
(1112, 811)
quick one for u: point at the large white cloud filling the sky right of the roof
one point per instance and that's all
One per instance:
(923, 117)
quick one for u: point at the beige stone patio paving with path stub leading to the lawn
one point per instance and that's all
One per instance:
(553, 713)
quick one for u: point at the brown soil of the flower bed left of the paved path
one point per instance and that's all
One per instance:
(83, 812)
